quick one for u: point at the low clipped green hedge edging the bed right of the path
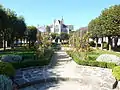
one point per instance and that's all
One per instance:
(91, 62)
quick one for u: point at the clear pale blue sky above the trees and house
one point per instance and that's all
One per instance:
(75, 12)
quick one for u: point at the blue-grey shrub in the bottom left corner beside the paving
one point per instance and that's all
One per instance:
(5, 83)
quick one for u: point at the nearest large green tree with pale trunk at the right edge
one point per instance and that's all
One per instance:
(111, 23)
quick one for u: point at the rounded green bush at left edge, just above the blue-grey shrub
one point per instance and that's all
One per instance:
(7, 69)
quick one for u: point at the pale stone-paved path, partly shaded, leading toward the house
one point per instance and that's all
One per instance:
(65, 74)
